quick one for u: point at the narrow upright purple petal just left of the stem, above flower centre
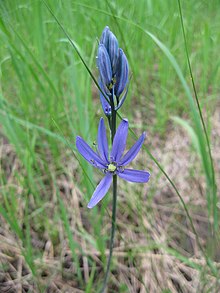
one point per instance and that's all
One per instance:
(102, 141)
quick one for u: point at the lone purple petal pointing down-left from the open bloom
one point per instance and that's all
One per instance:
(100, 191)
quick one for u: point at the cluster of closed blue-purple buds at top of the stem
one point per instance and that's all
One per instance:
(113, 69)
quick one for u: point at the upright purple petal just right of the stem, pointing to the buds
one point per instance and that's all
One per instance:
(119, 142)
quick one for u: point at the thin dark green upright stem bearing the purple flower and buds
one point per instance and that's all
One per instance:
(114, 204)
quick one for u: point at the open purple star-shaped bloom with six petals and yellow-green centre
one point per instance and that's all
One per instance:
(116, 162)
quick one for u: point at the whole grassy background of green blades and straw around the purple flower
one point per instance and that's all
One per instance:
(49, 239)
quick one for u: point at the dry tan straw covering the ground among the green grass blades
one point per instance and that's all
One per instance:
(154, 217)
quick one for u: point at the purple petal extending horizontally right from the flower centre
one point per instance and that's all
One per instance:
(134, 175)
